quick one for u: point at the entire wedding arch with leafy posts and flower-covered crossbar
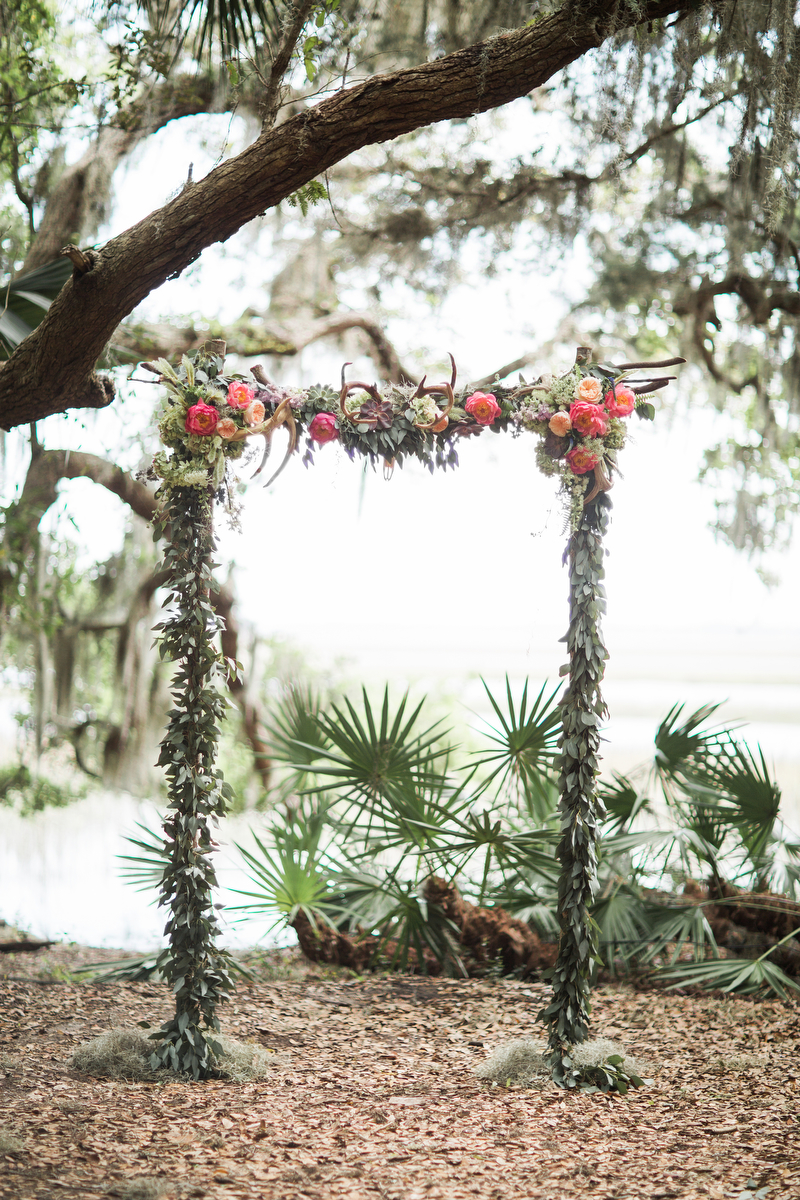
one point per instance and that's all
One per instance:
(204, 424)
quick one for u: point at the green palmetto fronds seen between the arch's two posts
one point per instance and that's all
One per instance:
(384, 811)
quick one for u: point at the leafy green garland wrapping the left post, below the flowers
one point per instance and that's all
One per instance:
(197, 971)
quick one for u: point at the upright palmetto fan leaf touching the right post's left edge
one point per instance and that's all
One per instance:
(526, 746)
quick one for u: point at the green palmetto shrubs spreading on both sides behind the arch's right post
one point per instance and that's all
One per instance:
(383, 805)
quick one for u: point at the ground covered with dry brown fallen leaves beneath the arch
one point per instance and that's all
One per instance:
(372, 1095)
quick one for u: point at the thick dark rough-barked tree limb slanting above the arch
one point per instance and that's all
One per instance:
(53, 370)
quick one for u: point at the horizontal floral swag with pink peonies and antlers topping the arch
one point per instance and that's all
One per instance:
(581, 419)
